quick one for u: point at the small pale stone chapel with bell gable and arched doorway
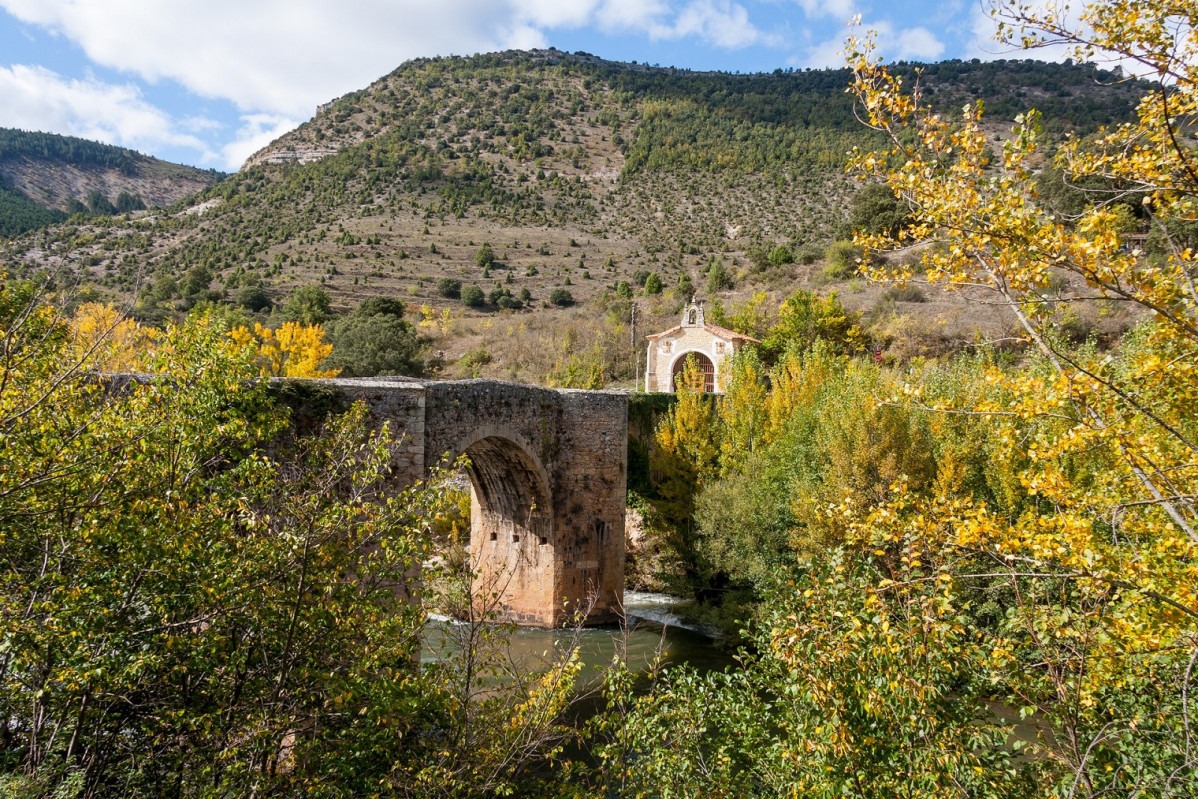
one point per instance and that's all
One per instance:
(709, 344)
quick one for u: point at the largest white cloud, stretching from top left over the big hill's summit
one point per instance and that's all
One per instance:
(287, 57)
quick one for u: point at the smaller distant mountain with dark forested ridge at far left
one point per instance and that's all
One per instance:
(45, 178)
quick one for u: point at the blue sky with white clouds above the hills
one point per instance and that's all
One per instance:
(211, 82)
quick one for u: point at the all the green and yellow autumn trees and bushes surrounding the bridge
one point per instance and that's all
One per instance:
(970, 573)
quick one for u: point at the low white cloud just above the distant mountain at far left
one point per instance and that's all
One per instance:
(35, 99)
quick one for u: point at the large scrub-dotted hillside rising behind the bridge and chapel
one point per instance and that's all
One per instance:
(529, 174)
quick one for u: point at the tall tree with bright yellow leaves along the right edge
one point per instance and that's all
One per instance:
(1111, 548)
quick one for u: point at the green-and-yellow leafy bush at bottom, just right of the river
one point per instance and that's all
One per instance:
(852, 694)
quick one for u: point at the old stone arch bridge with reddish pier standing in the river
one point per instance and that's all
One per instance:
(548, 471)
